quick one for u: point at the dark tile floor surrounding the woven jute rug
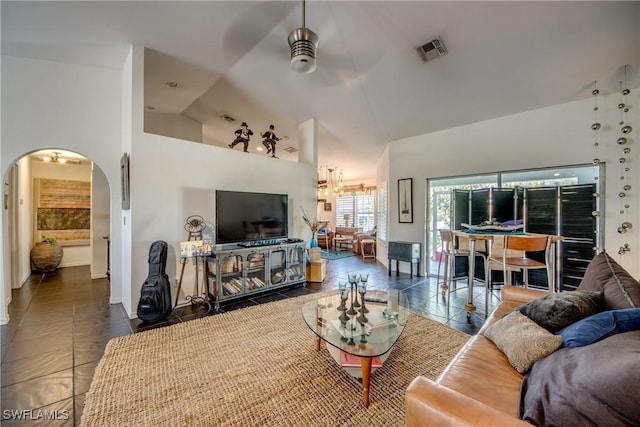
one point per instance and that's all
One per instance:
(61, 322)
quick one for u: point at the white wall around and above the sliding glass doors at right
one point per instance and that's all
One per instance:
(554, 136)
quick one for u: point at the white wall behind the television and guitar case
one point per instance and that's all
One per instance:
(172, 180)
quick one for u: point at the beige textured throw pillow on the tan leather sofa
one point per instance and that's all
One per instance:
(522, 340)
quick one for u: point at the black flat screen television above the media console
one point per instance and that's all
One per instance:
(243, 216)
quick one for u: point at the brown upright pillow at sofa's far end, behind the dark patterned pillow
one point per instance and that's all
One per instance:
(620, 289)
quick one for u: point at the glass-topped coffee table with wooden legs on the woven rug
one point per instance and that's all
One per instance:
(358, 344)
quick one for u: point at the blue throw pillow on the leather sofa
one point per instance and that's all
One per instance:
(599, 326)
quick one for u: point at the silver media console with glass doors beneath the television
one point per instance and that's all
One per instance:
(237, 271)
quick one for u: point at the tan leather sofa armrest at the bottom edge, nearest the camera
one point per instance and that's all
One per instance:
(428, 403)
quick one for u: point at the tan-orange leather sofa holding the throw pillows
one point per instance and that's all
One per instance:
(479, 387)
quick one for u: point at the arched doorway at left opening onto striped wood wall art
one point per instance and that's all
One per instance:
(57, 194)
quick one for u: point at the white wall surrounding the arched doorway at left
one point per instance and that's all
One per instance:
(48, 104)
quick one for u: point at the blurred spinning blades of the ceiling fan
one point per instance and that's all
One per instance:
(269, 21)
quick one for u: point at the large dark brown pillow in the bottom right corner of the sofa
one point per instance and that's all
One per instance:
(596, 385)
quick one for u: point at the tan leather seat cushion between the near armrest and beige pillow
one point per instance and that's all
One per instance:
(482, 372)
